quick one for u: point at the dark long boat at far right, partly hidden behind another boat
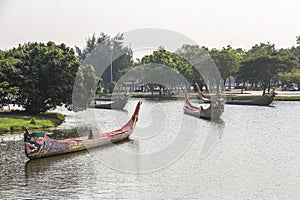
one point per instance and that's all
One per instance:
(264, 100)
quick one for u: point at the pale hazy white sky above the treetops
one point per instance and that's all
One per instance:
(212, 23)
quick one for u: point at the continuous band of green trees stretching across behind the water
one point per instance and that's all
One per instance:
(40, 76)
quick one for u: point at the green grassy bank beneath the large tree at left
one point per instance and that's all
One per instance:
(15, 120)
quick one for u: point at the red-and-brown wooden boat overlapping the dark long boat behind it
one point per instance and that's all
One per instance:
(214, 111)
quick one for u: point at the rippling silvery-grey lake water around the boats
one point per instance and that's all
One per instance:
(252, 153)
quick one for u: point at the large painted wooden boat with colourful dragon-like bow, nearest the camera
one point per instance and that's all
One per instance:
(39, 144)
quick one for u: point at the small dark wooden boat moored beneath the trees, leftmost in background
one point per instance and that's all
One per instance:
(117, 103)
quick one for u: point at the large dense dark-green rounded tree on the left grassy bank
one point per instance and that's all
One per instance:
(47, 74)
